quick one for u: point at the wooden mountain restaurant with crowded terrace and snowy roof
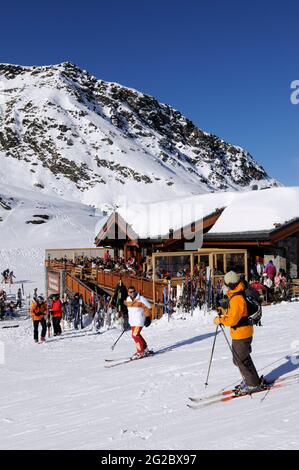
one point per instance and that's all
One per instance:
(168, 256)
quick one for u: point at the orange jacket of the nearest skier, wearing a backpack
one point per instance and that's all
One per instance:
(236, 310)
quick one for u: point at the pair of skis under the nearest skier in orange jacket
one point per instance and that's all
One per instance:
(228, 396)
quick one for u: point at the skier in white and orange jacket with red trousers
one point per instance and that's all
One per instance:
(140, 313)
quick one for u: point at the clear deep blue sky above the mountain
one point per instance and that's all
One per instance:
(227, 65)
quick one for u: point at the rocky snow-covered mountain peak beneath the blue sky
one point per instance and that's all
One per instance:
(64, 131)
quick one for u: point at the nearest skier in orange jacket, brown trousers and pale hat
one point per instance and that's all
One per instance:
(241, 332)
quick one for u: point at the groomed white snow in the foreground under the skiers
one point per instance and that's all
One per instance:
(60, 396)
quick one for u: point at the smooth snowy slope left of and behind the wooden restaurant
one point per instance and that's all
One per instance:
(31, 221)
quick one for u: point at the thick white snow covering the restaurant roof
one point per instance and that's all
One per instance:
(252, 211)
